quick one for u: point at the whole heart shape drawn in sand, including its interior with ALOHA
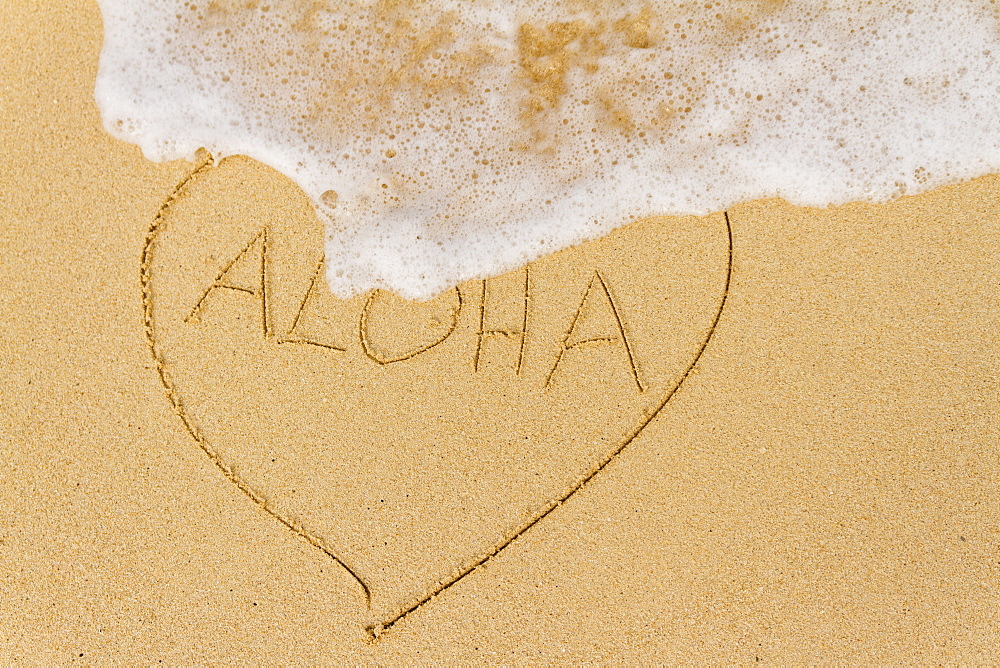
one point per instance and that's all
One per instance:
(412, 442)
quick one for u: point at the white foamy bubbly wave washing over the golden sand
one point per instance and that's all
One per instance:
(443, 140)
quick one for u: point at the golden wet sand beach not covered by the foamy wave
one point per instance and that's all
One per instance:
(766, 435)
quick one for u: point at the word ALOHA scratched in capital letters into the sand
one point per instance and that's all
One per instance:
(248, 274)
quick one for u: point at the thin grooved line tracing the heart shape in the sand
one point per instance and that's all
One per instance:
(375, 630)
